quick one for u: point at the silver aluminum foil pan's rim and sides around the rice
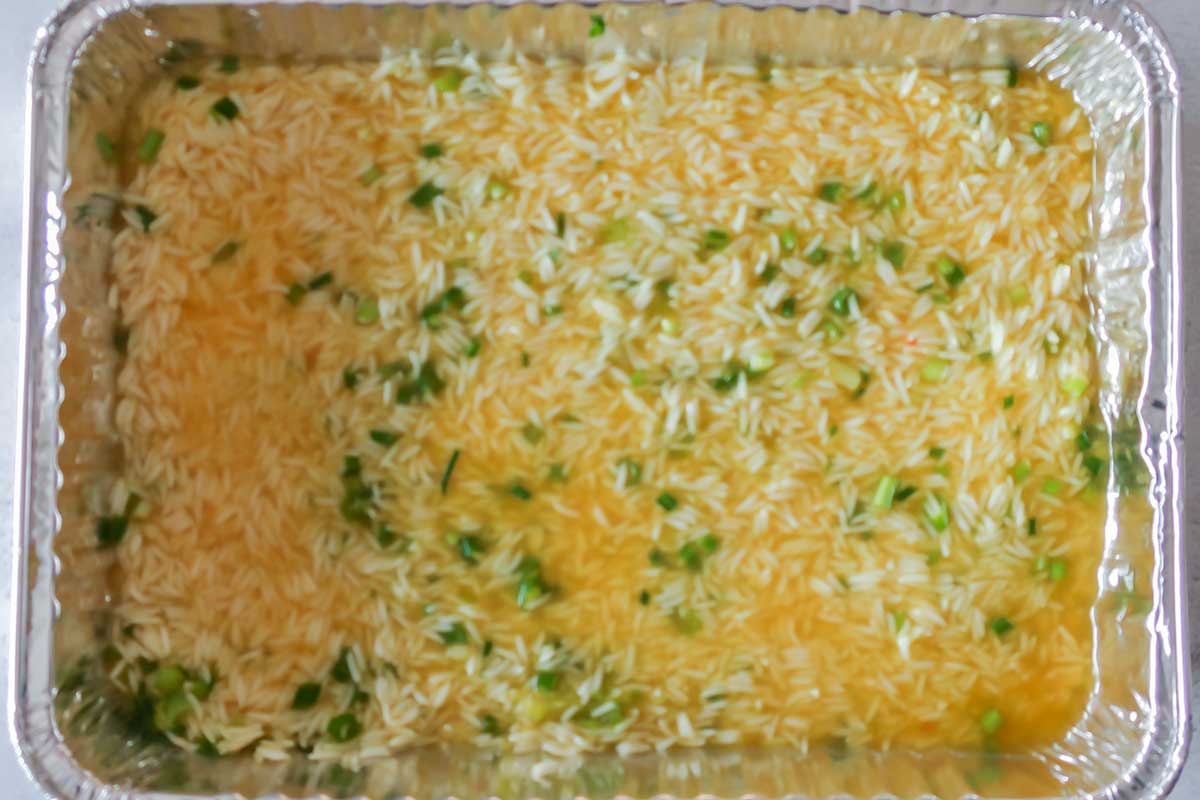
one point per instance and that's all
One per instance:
(94, 59)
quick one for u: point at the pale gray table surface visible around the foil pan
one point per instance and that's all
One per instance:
(22, 20)
